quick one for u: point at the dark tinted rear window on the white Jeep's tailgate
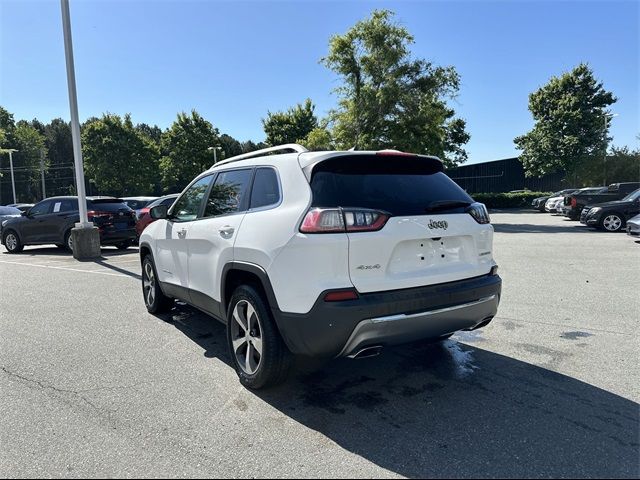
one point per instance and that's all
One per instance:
(402, 186)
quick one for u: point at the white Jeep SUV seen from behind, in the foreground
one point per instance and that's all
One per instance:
(326, 254)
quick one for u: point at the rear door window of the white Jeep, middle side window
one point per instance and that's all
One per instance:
(228, 193)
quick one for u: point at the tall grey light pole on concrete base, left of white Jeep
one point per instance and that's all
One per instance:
(85, 237)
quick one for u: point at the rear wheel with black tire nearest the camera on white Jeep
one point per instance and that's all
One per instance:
(258, 353)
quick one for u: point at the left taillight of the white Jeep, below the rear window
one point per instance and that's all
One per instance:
(340, 220)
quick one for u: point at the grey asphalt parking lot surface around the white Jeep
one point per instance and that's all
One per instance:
(92, 385)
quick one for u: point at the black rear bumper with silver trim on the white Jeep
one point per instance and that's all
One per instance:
(335, 329)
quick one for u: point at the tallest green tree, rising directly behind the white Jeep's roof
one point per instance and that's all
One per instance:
(390, 100)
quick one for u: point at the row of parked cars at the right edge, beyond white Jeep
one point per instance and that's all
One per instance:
(613, 208)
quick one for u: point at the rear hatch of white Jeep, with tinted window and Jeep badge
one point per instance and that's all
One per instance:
(407, 223)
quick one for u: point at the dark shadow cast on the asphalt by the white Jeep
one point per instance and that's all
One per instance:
(452, 410)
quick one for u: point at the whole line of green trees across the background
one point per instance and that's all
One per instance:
(386, 98)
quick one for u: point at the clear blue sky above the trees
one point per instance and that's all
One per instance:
(234, 61)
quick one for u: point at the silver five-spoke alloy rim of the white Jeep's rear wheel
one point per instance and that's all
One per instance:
(246, 337)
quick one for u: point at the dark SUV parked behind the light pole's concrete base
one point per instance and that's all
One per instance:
(51, 221)
